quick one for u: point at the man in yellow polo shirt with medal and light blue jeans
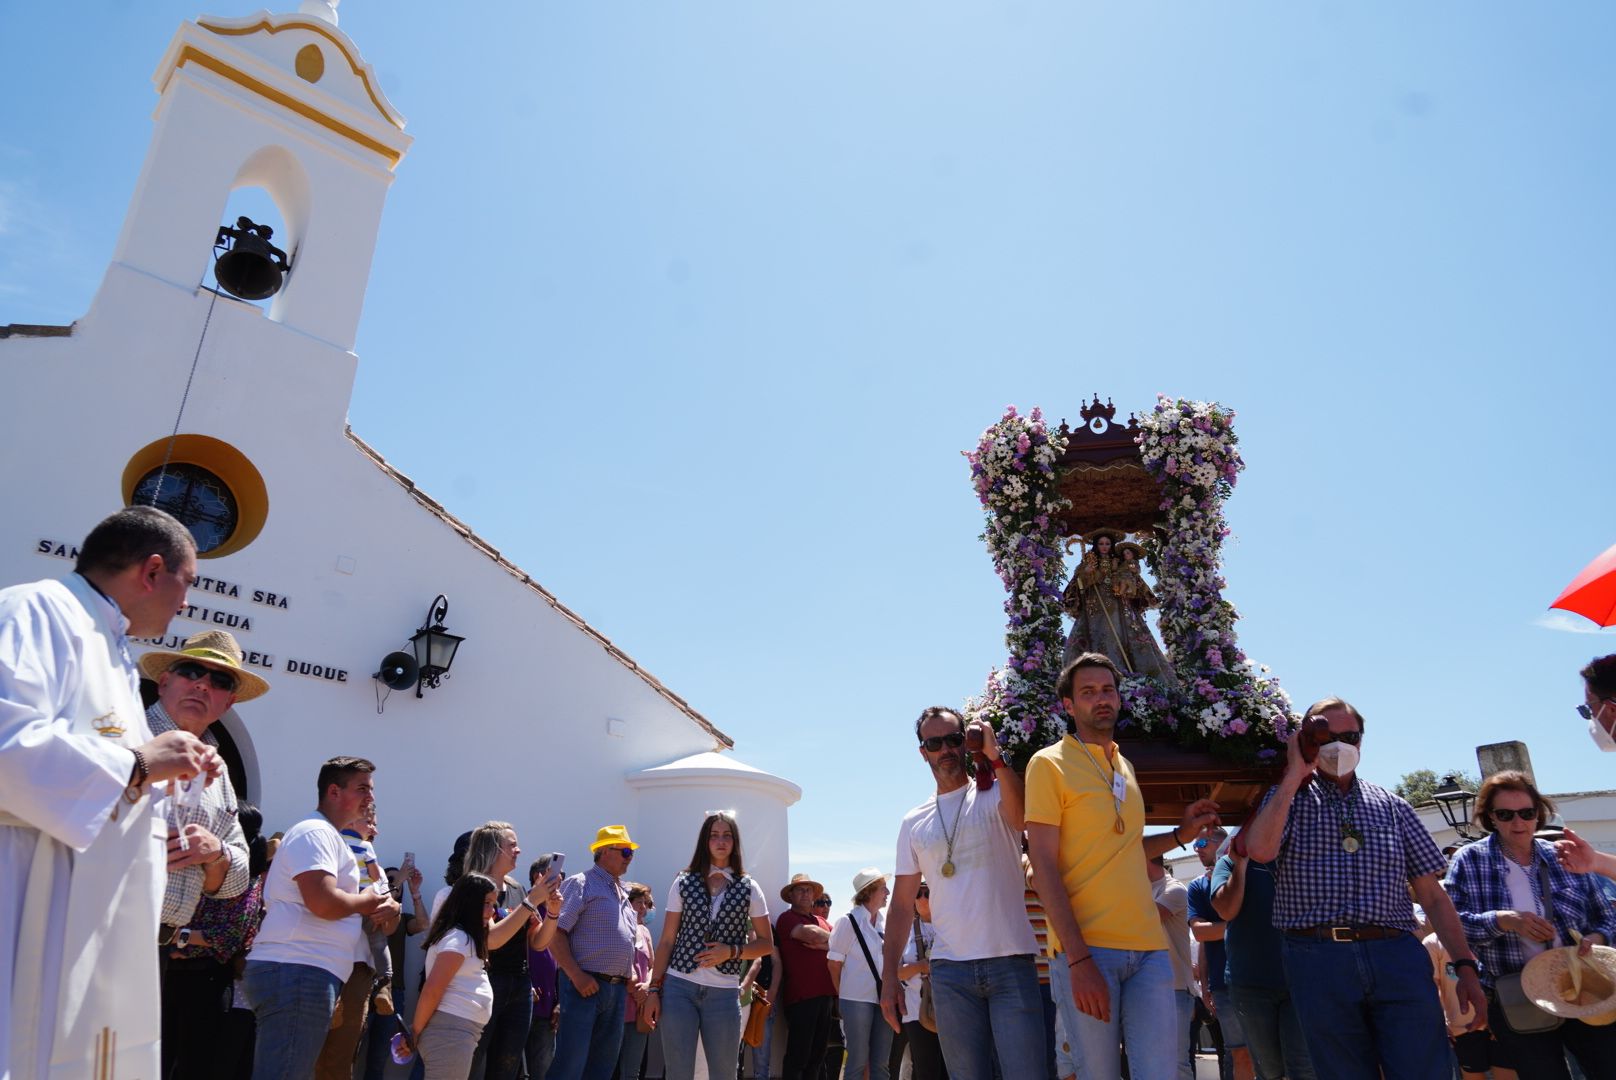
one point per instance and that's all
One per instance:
(1113, 977)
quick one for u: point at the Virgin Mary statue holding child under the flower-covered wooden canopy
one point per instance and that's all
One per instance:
(1108, 599)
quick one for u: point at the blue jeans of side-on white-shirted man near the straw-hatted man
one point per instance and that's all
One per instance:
(293, 1005)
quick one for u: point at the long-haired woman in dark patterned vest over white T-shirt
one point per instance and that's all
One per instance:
(715, 922)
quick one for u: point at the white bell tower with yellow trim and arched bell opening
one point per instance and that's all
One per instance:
(282, 103)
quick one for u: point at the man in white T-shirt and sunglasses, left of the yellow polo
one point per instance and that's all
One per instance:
(967, 843)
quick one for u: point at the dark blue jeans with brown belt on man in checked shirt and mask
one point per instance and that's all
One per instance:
(1368, 1008)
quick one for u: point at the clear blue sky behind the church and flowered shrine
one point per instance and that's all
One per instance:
(691, 310)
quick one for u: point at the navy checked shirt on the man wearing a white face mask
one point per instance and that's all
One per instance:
(1318, 884)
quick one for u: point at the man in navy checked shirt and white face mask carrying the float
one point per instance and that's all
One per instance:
(1345, 856)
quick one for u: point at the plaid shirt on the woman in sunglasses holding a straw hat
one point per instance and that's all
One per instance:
(1476, 884)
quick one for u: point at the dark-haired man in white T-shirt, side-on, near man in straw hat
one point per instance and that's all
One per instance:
(313, 930)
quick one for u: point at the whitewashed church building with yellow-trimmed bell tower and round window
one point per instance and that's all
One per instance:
(319, 555)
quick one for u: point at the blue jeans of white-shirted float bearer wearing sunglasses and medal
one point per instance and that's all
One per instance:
(990, 1006)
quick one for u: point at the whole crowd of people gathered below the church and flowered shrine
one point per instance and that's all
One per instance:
(1030, 927)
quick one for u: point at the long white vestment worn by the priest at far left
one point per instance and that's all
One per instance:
(82, 869)
